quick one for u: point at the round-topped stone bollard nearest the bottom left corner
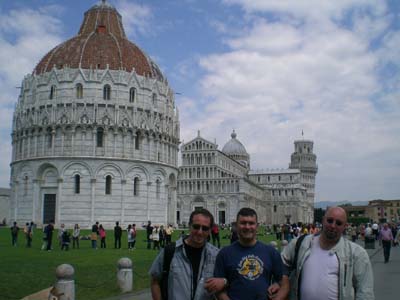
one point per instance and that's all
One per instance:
(65, 284)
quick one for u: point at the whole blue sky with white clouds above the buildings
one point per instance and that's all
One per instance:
(268, 69)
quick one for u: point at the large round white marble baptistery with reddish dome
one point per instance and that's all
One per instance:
(95, 133)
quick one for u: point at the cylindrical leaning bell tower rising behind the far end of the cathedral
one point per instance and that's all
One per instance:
(305, 160)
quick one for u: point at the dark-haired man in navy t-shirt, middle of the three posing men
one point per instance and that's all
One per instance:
(250, 266)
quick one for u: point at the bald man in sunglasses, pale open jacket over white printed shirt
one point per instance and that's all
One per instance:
(329, 266)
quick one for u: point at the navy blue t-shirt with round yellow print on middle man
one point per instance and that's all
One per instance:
(248, 269)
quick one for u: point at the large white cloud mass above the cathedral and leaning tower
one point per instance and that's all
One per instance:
(282, 76)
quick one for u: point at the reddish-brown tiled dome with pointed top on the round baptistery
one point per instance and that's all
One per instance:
(101, 43)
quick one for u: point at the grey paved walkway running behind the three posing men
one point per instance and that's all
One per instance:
(386, 277)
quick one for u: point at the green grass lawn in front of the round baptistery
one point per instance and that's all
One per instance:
(24, 271)
